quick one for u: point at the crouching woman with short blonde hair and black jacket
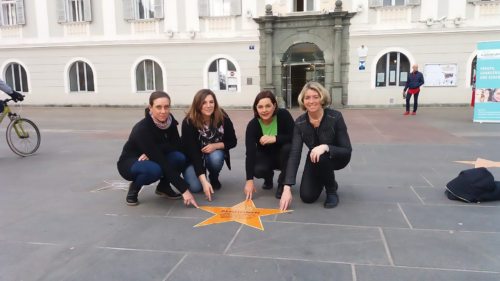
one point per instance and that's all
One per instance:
(324, 132)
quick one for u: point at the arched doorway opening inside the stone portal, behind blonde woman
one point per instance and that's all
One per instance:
(303, 63)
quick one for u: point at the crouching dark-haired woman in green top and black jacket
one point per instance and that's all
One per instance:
(267, 140)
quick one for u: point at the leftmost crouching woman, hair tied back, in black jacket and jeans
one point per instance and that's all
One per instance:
(152, 152)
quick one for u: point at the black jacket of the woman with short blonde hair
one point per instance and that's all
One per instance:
(331, 131)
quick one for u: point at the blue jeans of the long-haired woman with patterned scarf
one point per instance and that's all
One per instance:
(213, 163)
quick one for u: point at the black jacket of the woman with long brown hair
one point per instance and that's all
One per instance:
(192, 144)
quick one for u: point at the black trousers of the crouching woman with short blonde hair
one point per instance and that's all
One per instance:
(317, 175)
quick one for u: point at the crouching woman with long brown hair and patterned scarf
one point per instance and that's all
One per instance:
(207, 136)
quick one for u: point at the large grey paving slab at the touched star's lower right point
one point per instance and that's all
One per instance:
(312, 242)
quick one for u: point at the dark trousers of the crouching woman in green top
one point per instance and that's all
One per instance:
(268, 160)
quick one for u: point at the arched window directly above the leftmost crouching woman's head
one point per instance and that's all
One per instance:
(148, 76)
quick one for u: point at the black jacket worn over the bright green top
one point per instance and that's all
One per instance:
(254, 133)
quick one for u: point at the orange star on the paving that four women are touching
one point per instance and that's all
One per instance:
(244, 213)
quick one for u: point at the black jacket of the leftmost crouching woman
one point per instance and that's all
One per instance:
(147, 138)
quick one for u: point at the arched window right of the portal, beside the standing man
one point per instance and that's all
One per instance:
(392, 70)
